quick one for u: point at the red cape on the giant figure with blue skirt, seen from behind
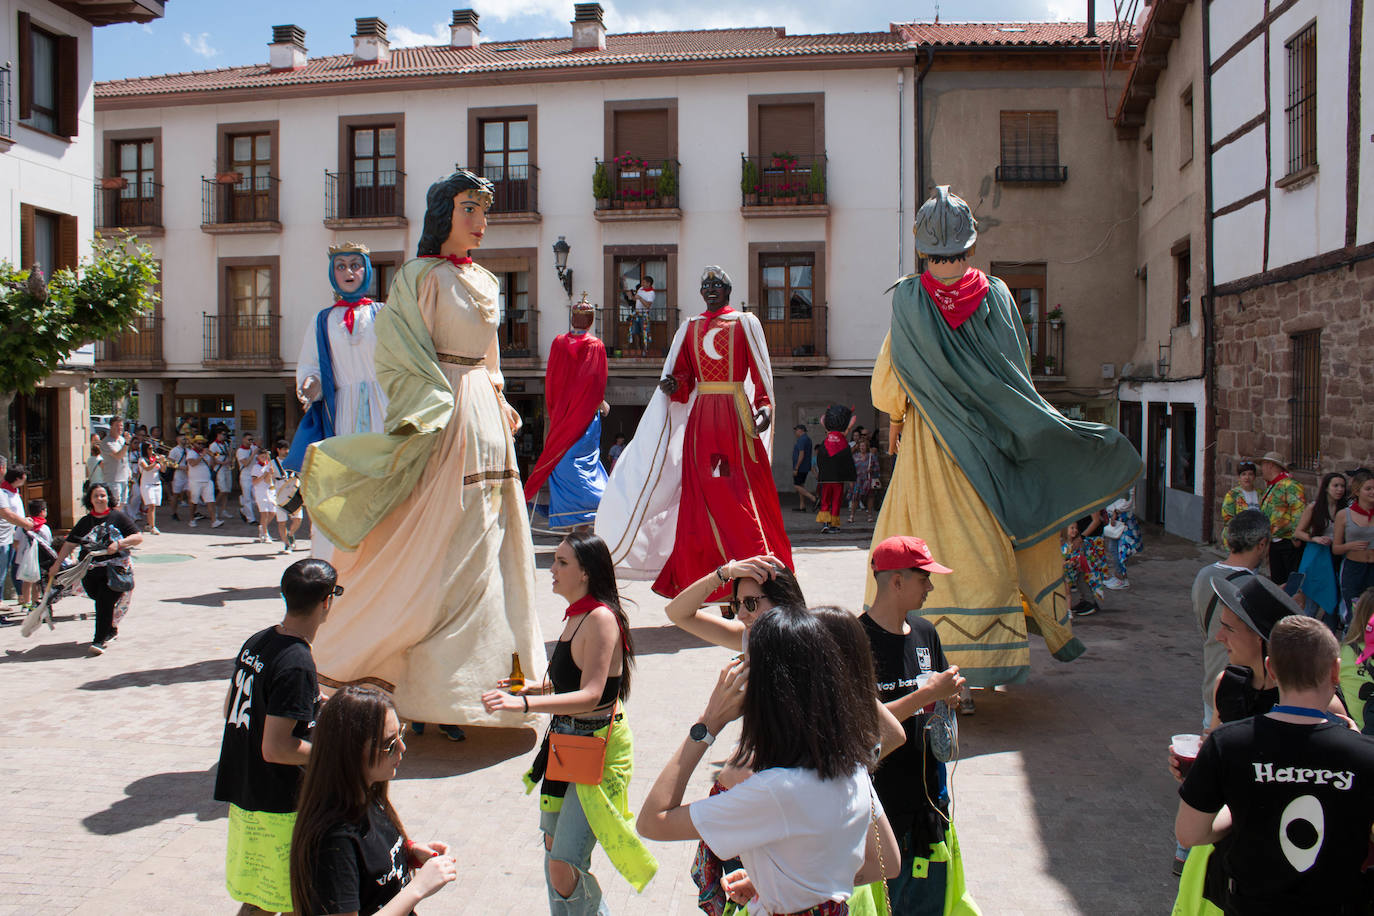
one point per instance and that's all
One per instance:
(575, 388)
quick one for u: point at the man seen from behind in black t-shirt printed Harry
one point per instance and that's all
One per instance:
(1288, 797)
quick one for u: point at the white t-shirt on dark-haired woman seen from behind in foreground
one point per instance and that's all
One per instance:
(800, 838)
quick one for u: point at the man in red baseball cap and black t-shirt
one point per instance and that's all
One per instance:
(913, 675)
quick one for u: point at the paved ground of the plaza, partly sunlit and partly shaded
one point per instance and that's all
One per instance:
(106, 764)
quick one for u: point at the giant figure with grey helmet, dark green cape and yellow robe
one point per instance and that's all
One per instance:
(987, 470)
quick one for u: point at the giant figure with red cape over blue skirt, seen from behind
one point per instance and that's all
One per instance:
(575, 391)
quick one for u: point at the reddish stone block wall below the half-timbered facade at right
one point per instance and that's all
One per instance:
(1255, 371)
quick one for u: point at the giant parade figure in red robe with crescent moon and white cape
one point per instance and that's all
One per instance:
(695, 488)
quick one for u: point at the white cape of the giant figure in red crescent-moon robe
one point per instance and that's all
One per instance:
(638, 514)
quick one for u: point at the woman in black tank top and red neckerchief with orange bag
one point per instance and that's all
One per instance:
(586, 686)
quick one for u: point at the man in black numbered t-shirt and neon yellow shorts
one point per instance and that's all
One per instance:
(269, 715)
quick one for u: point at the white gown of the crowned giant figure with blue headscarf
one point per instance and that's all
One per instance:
(359, 403)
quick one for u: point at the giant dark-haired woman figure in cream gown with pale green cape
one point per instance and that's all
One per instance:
(436, 556)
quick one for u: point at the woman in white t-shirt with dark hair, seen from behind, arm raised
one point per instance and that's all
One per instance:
(806, 825)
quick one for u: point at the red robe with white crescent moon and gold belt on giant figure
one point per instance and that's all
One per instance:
(729, 507)
